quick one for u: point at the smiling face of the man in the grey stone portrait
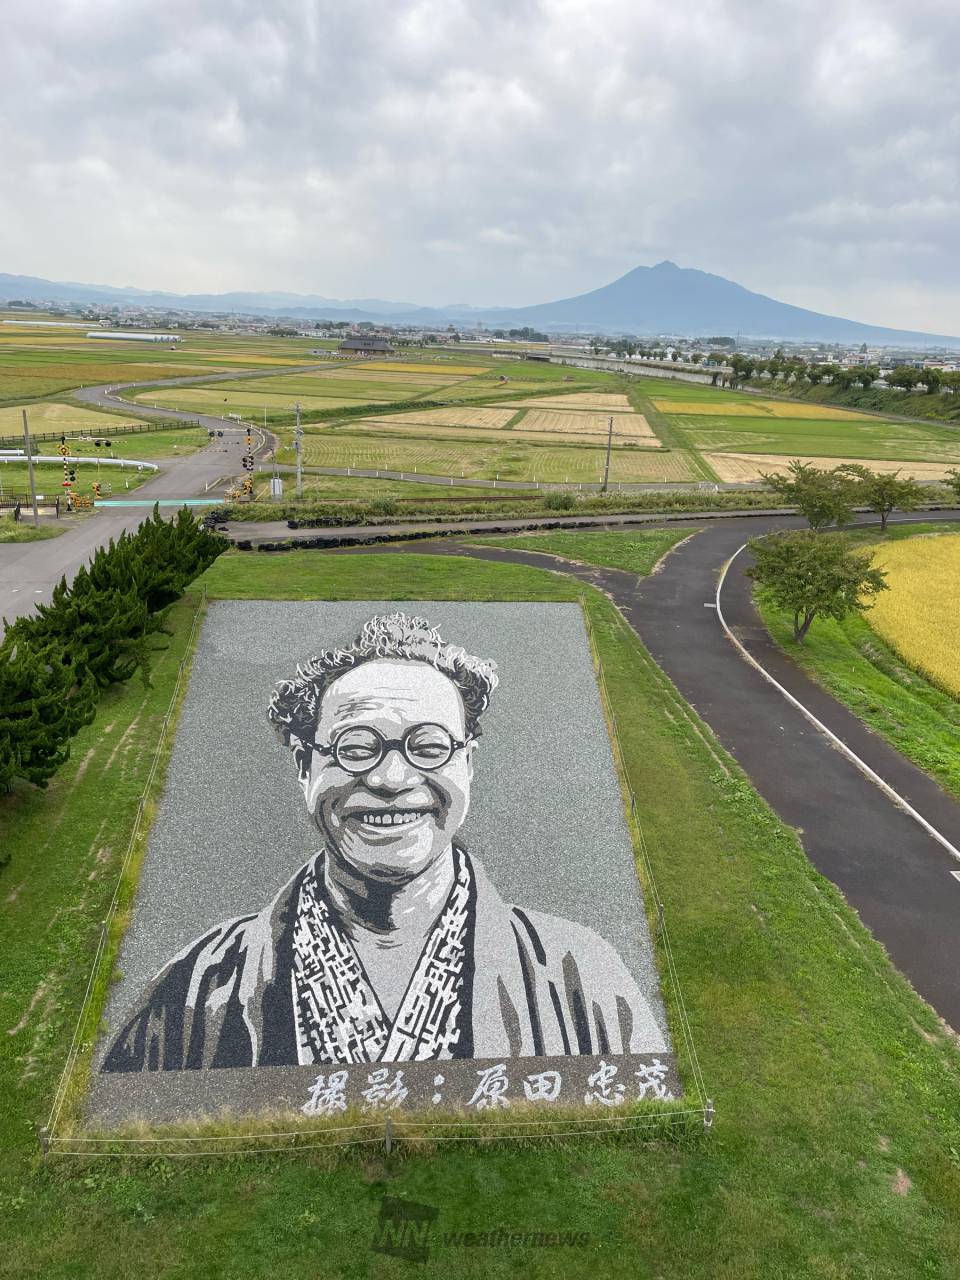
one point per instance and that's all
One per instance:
(392, 822)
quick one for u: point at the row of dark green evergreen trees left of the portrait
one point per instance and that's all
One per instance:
(99, 630)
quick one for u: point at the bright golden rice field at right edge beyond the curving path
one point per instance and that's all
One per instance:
(918, 615)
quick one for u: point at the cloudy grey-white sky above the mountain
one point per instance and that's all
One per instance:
(488, 152)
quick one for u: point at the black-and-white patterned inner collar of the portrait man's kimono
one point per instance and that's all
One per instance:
(339, 1016)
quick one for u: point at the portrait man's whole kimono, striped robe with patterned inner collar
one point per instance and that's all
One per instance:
(286, 988)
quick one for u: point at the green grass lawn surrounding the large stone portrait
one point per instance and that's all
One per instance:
(835, 1148)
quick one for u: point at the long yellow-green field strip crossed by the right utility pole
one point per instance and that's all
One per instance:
(504, 458)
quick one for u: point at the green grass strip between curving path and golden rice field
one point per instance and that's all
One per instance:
(865, 674)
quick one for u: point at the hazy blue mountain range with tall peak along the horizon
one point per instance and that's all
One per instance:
(650, 300)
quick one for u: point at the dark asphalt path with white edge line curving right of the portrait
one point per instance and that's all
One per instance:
(900, 880)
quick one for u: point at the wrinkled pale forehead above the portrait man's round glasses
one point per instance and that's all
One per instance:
(395, 693)
